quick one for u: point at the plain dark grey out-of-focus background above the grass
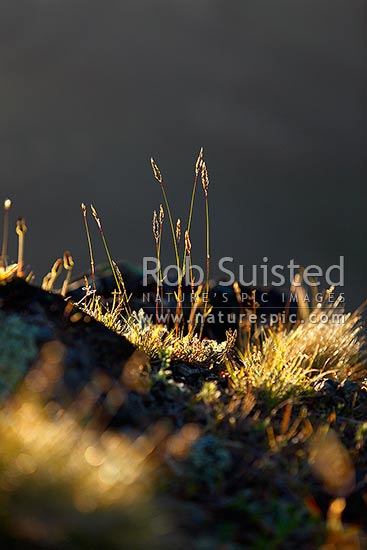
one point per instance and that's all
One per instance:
(274, 90)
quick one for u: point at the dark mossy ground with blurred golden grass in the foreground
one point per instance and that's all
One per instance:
(104, 445)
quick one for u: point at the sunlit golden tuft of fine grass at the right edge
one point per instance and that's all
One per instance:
(292, 361)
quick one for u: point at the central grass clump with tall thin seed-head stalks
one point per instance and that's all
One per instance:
(183, 341)
